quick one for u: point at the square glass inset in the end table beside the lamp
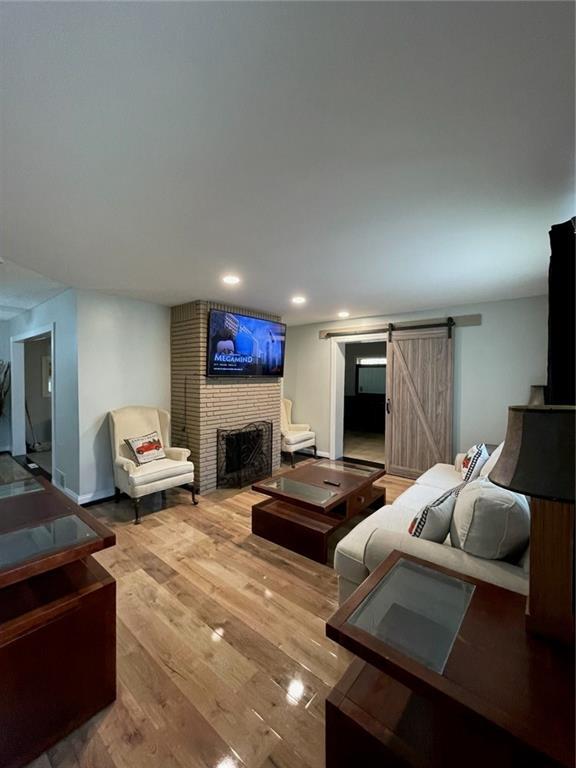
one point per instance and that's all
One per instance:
(416, 610)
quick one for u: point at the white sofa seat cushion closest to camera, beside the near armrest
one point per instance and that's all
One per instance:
(349, 554)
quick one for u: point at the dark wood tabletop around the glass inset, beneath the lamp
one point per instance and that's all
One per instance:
(496, 672)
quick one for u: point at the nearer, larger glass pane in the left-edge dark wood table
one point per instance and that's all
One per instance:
(26, 543)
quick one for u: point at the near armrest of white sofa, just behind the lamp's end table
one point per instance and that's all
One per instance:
(382, 543)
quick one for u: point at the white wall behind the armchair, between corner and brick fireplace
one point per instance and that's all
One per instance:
(123, 359)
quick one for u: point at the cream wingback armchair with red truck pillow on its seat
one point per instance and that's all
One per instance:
(140, 480)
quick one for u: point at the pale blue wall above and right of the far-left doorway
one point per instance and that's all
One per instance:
(60, 311)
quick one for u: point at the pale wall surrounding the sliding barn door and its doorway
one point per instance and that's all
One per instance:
(494, 365)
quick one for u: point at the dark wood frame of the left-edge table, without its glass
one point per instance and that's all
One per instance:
(57, 631)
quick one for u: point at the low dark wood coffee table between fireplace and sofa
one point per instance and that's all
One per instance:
(308, 503)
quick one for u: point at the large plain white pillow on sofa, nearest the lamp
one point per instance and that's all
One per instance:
(489, 521)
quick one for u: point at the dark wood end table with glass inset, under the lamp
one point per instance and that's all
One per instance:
(439, 686)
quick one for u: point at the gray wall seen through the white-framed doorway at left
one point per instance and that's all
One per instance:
(39, 407)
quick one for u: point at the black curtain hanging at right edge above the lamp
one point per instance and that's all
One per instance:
(561, 316)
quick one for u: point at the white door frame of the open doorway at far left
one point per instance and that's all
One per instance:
(18, 389)
